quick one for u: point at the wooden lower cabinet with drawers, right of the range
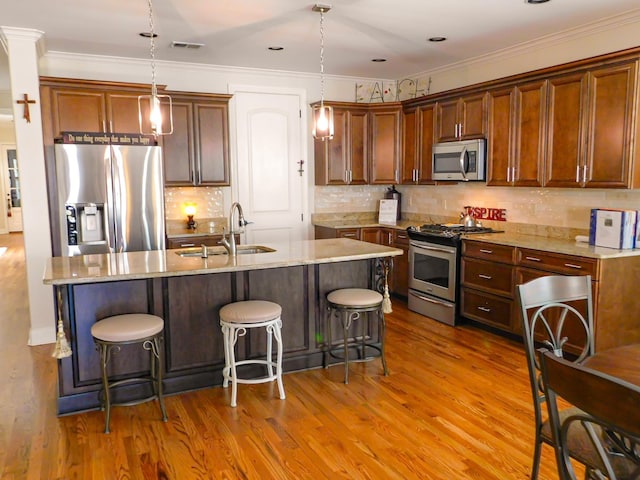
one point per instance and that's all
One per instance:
(488, 296)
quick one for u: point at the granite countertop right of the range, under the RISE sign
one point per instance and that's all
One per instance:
(554, 245)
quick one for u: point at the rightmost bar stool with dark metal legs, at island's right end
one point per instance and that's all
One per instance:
(349, 304)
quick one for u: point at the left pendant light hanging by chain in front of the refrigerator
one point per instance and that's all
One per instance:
(149, 106)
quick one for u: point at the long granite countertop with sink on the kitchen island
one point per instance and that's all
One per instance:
(166, 263)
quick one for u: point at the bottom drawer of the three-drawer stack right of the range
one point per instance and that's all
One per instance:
(487, 309)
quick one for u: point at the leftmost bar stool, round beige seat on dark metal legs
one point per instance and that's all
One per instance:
(112, 333)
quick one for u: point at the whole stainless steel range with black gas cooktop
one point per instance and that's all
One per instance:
(434, 269)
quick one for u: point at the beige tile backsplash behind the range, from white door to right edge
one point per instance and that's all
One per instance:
(567, 208)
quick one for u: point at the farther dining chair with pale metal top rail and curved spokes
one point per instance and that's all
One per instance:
(557, 312)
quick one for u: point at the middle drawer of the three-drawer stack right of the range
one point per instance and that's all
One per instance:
(491, 277)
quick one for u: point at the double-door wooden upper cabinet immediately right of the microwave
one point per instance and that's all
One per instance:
(516, 134)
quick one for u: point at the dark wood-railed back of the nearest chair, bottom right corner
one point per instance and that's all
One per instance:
(611, 418)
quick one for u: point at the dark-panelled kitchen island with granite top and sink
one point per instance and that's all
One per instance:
(188, 293)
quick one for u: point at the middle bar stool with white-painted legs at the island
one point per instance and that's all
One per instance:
(235, 319)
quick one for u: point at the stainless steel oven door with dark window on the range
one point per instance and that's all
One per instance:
(432, 269)
